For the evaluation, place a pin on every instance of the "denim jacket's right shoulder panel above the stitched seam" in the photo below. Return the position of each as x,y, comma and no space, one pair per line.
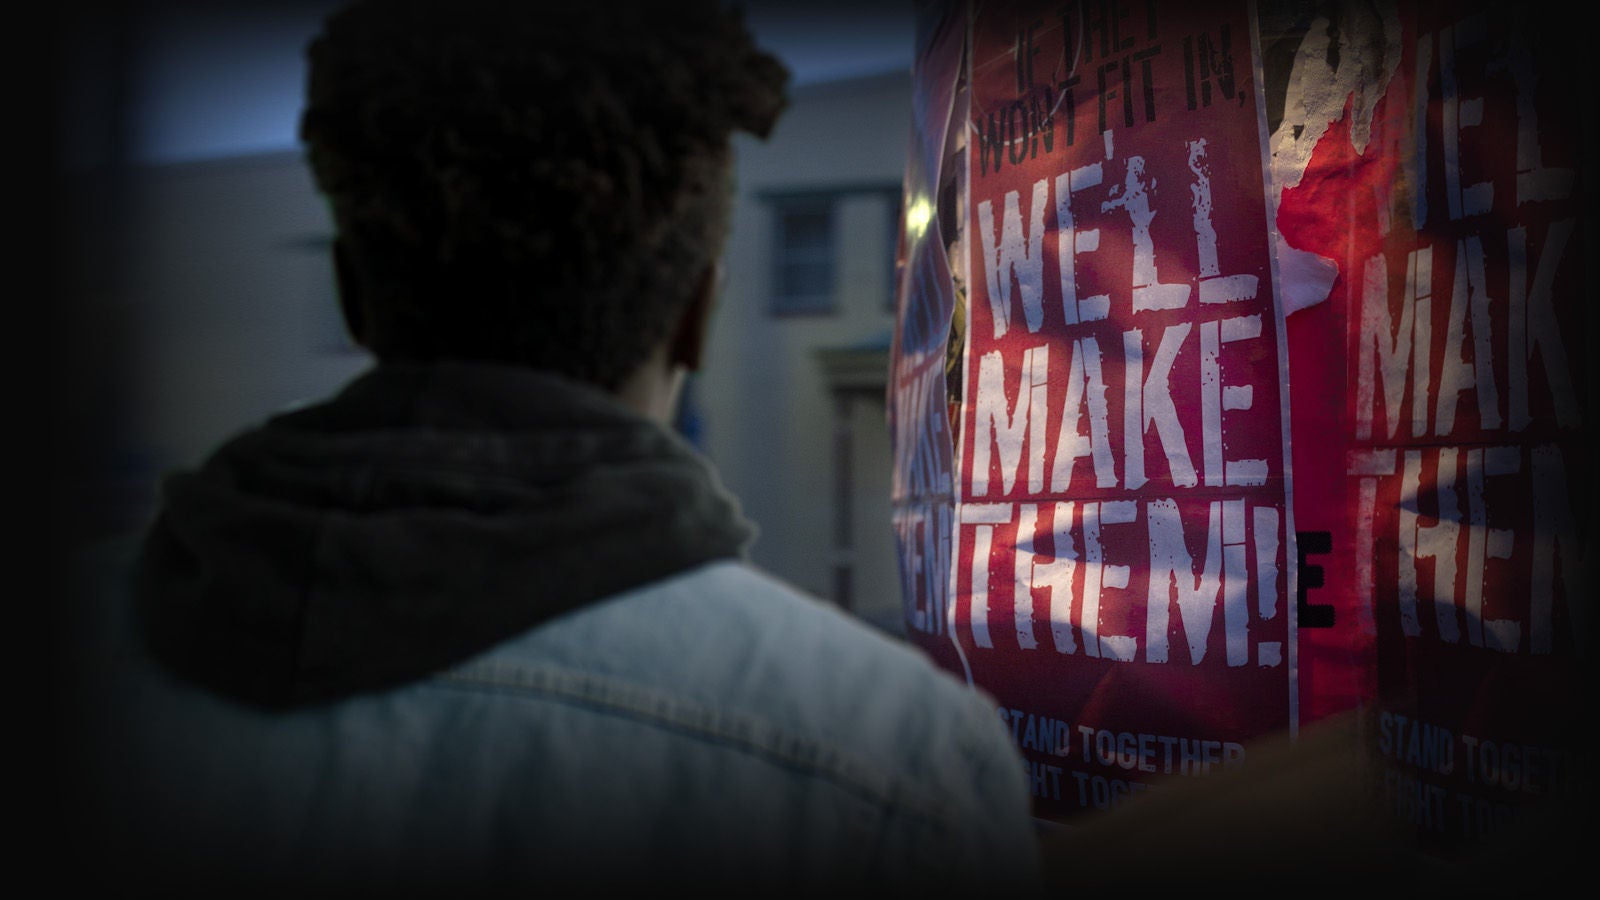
735,638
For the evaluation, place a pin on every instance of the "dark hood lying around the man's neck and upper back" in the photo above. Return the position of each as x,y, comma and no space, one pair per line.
418,518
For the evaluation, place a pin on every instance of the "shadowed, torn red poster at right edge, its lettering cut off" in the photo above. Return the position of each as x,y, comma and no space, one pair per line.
1442,393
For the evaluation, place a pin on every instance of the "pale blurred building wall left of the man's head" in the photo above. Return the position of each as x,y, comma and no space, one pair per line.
236,305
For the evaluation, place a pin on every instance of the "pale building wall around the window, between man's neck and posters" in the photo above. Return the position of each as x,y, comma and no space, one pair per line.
769,416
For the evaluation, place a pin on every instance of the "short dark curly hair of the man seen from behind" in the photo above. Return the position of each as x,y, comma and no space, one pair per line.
529,183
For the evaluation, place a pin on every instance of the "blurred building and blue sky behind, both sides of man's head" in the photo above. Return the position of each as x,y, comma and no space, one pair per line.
193,254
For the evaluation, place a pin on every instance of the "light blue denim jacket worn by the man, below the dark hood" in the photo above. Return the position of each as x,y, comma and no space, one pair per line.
713,728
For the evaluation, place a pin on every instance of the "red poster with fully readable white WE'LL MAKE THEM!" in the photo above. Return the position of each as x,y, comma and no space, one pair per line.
1119,529
